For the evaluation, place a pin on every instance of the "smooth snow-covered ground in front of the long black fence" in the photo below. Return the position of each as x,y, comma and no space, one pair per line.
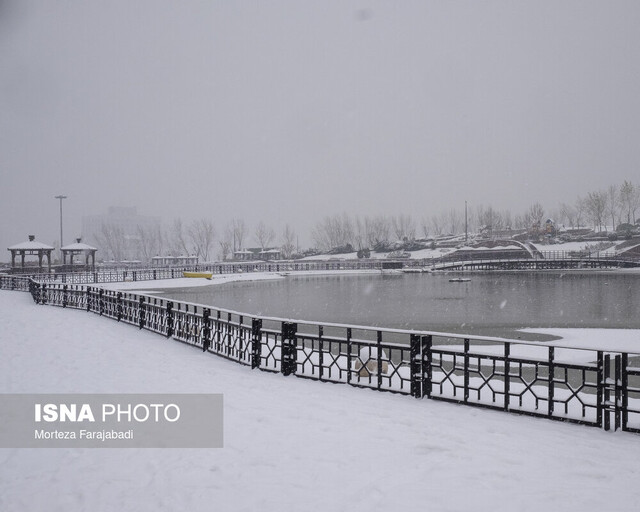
290,444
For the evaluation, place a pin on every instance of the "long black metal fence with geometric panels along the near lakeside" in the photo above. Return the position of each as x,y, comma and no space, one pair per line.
590,387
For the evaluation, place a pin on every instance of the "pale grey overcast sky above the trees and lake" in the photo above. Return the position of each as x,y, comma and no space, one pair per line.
285,111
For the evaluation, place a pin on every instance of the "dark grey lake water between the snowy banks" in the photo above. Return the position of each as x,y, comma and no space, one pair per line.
490,304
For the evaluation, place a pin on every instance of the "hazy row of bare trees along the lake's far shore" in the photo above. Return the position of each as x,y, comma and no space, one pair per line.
598,209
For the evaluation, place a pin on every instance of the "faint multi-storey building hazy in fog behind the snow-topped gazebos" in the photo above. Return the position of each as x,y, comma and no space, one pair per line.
118,233
